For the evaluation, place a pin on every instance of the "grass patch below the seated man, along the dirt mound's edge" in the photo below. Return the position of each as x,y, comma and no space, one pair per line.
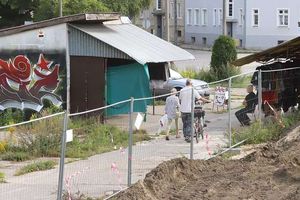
269,131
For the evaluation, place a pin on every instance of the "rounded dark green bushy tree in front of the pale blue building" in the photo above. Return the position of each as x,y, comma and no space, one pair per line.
223,53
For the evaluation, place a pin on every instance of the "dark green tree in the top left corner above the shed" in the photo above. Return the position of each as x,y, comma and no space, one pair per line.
16,12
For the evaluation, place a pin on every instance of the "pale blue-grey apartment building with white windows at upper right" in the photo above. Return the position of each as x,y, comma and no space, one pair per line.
254,24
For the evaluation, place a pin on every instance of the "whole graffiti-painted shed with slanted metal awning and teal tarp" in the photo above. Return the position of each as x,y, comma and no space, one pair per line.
83,61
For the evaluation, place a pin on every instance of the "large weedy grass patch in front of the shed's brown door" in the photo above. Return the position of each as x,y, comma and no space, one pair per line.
91,137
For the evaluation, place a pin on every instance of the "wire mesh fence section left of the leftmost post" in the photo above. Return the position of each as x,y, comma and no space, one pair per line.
26,148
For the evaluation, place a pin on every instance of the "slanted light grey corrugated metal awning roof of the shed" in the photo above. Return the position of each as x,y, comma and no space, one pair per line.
136,43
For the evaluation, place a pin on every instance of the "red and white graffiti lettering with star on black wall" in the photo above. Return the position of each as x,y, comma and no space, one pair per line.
23,85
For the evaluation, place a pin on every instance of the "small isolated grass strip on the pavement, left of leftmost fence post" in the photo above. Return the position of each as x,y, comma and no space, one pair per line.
37,166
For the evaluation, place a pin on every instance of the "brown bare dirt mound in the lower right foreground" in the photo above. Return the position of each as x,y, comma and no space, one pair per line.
271,172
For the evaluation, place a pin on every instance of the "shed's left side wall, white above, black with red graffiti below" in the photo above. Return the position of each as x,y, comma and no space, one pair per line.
33,69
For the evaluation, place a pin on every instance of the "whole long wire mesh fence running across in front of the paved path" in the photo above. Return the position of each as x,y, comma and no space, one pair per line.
114,146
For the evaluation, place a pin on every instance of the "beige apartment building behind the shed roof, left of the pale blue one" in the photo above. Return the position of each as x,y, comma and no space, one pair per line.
154,20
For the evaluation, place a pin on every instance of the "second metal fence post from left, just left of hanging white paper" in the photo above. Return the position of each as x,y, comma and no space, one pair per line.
130,141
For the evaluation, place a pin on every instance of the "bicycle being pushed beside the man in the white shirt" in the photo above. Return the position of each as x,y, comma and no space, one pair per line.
198,122
